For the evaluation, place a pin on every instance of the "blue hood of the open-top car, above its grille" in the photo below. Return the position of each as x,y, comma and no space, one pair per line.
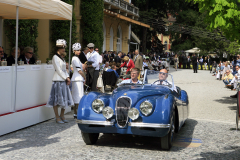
136,92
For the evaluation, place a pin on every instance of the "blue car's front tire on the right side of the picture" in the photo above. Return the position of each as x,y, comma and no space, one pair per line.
166,141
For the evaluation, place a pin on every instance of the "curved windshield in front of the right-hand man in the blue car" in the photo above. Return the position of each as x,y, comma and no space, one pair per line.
158,78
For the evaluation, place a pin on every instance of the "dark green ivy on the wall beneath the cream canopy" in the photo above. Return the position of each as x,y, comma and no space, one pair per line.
27,33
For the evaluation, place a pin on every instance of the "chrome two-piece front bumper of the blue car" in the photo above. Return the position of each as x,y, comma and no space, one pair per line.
131,124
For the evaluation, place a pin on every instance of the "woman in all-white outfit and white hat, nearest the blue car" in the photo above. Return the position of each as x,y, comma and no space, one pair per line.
78,78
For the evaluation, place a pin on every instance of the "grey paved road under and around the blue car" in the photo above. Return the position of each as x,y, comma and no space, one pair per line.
207,134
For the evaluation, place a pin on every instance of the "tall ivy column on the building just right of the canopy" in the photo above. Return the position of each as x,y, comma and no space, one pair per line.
92,19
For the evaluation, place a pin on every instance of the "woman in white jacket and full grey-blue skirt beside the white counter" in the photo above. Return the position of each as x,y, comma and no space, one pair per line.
60,95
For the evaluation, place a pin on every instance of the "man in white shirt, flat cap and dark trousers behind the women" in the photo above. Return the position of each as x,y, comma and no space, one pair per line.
93,69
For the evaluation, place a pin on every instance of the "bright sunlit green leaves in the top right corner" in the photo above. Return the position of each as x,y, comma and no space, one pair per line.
222,14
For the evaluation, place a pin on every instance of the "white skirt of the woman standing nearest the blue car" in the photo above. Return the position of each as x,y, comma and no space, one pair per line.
77,91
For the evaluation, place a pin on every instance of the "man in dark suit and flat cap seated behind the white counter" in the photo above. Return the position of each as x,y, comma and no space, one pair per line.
27,56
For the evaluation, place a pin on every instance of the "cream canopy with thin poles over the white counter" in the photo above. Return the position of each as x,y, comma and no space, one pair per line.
34,9
